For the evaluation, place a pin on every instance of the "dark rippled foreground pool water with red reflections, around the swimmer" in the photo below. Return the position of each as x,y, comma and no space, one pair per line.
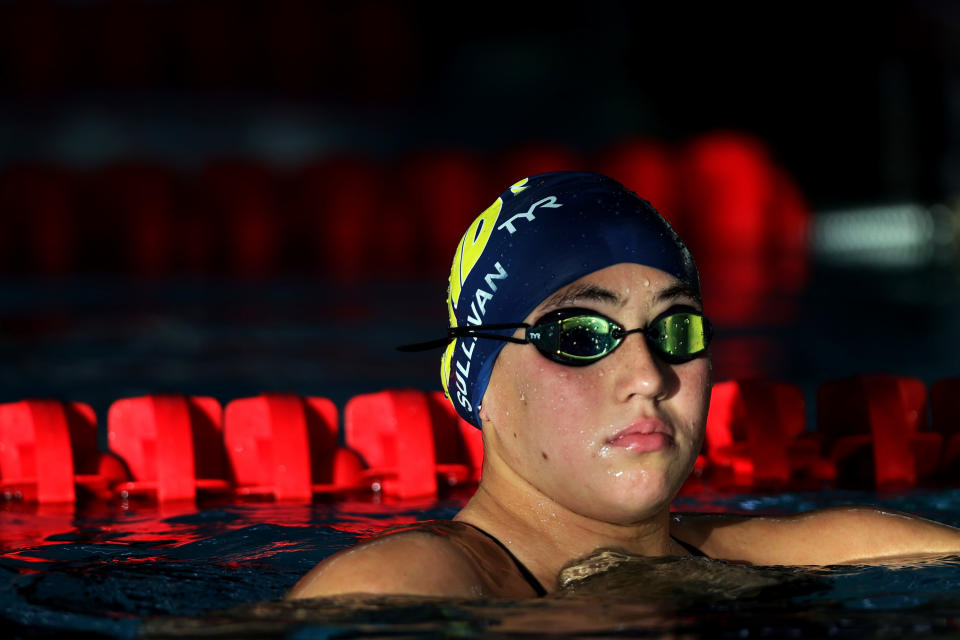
138,571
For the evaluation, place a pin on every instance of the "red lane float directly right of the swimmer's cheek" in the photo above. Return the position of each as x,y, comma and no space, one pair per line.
756,437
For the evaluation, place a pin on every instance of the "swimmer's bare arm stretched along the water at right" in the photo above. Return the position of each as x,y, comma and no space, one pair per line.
835,535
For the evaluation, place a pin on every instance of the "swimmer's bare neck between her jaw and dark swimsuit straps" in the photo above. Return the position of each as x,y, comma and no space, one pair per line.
544,535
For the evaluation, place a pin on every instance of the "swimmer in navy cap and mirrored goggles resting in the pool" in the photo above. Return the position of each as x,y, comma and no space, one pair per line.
579,346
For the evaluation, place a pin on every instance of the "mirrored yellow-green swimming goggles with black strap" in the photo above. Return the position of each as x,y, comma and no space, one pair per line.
578,337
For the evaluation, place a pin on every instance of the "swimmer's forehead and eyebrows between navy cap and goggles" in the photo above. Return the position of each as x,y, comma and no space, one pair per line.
619,284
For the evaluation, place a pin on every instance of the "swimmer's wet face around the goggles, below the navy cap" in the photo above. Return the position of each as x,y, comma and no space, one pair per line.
613,440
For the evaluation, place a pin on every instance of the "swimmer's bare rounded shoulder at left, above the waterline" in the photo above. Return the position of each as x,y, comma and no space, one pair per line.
416,561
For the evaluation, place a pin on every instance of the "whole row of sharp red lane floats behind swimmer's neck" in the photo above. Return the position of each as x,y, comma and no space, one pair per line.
872,433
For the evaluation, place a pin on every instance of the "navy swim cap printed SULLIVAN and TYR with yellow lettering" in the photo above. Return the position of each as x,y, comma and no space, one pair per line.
543,233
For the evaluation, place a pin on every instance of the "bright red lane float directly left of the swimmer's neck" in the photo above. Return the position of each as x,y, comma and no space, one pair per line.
408,438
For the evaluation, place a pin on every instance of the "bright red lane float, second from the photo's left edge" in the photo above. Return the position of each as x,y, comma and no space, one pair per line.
172,445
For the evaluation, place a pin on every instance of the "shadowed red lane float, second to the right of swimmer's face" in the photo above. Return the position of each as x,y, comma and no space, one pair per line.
872,429
